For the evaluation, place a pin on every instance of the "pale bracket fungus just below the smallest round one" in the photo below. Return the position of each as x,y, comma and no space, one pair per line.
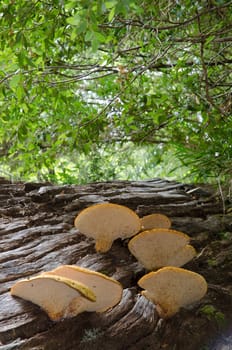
161,247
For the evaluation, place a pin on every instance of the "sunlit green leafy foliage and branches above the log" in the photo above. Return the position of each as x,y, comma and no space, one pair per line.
94,90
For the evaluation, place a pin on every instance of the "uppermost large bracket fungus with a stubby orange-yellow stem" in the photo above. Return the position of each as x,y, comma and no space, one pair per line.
106,222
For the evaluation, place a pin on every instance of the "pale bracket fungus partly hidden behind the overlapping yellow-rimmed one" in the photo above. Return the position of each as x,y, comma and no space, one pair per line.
108,291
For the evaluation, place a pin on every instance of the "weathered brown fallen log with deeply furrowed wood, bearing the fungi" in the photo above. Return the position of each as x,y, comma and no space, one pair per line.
37,234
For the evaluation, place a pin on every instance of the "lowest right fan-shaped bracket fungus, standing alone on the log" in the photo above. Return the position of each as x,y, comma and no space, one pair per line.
171,288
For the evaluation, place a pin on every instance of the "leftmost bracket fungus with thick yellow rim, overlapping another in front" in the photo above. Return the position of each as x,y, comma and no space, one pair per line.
60,297
